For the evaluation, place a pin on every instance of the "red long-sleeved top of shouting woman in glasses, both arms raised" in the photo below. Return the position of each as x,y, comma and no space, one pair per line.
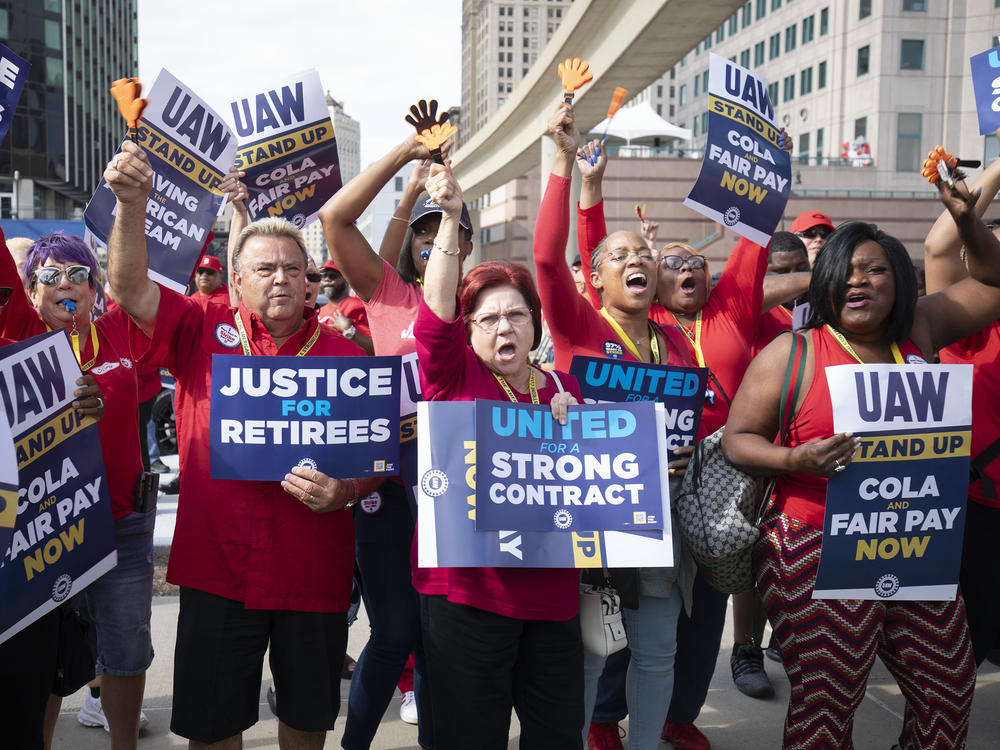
576,327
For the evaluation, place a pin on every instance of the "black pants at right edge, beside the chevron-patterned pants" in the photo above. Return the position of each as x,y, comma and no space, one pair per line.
978,579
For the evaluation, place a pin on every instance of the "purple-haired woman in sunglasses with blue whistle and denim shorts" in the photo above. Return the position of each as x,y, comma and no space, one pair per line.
60,271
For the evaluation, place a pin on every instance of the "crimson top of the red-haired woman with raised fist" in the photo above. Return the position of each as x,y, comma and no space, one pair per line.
451,371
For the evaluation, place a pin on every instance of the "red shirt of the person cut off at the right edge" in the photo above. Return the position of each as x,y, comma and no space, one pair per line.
982,351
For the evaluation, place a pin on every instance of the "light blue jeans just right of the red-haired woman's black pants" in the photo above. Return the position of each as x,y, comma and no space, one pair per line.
652,640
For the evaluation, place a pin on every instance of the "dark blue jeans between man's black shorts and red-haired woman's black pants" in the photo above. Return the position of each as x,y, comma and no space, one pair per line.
383,551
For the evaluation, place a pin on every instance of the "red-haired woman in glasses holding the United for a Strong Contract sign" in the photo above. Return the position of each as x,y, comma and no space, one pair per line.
495,638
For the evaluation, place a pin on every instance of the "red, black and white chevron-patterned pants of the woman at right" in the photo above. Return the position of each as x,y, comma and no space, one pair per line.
829,646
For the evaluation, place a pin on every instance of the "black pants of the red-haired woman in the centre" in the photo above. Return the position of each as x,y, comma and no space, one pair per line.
482,664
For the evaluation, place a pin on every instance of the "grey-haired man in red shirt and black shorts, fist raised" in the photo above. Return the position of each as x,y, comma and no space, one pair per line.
260,564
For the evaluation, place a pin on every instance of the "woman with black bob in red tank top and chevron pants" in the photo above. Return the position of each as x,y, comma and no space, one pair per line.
864,308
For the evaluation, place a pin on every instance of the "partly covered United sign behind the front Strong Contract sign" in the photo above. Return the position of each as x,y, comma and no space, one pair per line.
681,390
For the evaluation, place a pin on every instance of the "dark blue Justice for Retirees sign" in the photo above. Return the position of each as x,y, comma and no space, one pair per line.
336,414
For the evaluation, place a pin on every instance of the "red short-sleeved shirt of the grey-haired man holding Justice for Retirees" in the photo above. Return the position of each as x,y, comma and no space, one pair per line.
244,540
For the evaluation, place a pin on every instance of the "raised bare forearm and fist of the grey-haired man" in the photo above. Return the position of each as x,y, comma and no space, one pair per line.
130,177
